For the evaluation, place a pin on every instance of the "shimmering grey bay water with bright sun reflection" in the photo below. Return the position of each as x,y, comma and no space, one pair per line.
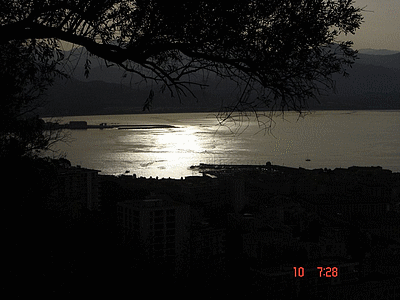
321,139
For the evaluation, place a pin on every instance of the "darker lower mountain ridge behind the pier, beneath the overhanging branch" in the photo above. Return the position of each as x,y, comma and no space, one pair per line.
75,97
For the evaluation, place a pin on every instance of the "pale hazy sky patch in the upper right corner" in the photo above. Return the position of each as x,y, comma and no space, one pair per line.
381,27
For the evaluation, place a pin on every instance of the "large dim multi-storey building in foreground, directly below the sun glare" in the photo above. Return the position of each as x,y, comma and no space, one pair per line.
158,230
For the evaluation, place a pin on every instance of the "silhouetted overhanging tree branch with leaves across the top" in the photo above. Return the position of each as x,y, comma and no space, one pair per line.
280,52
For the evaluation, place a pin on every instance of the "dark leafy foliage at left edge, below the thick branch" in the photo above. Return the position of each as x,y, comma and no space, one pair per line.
27,69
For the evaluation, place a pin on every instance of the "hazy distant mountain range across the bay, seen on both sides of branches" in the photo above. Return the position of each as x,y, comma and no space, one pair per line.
374,83
